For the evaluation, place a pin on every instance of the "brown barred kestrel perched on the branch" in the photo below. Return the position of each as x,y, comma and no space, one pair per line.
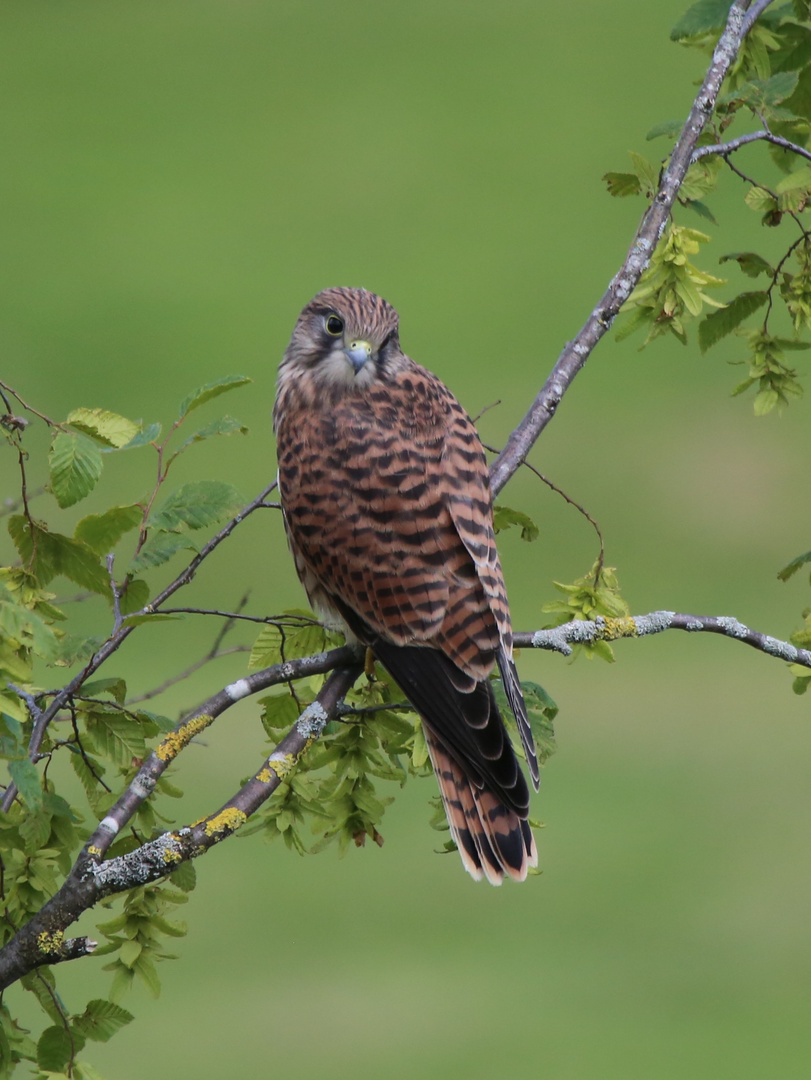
388,512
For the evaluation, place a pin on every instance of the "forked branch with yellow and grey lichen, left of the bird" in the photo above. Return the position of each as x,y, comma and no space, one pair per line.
43,940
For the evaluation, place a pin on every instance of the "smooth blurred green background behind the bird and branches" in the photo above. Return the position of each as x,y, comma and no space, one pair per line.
180,179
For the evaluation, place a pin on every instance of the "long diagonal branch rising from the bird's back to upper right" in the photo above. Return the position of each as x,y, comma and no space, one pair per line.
577,352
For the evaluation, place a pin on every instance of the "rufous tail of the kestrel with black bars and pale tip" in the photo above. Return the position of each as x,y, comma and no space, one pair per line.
492,839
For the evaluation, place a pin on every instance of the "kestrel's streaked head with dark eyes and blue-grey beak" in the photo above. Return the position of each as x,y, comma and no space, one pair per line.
345,340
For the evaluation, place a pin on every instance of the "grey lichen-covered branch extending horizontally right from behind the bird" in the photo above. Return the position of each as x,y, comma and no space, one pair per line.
583,632
